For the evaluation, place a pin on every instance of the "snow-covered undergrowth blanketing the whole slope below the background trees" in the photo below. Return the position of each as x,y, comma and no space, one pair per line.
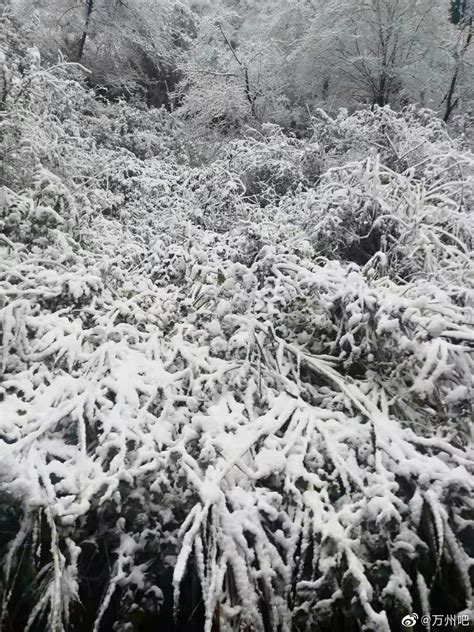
239,391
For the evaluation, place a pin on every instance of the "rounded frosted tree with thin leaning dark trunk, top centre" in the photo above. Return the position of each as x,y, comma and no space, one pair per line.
229,79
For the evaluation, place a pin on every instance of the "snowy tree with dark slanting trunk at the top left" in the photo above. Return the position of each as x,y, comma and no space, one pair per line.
126,45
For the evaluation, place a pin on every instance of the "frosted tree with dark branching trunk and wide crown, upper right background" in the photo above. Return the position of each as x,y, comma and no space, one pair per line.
379,51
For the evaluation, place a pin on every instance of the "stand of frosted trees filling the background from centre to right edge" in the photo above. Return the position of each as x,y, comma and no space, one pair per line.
274,60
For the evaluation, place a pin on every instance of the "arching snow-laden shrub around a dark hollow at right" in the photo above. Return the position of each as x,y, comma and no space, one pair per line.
364,210
